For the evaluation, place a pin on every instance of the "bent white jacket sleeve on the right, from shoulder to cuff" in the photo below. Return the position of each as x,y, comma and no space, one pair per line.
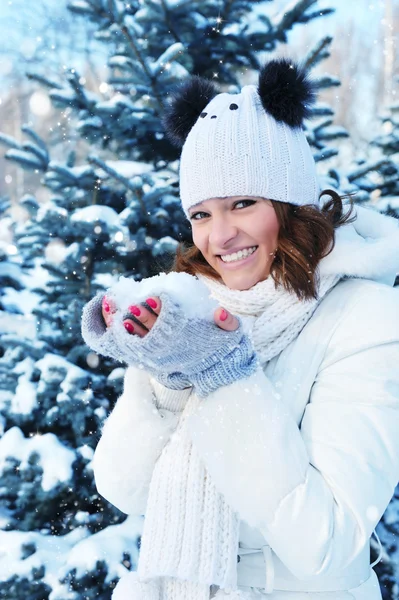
315,493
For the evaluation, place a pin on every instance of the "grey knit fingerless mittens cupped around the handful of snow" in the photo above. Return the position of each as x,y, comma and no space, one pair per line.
178,351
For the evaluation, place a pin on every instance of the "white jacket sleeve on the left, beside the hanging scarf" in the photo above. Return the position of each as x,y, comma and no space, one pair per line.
133,437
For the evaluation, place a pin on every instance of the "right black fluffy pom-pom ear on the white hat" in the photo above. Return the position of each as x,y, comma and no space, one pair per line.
285,91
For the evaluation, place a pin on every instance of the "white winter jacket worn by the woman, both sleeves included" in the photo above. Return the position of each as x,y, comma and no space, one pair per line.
310,469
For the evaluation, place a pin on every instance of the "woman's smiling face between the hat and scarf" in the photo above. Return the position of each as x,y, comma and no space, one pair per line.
237,237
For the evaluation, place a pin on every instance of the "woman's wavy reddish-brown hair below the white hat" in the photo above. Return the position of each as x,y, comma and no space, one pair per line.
306,236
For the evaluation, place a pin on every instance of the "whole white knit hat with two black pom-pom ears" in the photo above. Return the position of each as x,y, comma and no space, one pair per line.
251,143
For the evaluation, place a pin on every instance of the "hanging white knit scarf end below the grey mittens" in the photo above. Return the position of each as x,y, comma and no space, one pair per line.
191,533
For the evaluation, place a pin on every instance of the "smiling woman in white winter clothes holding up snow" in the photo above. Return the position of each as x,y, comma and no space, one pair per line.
262,448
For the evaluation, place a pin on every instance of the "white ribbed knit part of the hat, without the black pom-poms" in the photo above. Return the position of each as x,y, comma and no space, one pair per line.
236,148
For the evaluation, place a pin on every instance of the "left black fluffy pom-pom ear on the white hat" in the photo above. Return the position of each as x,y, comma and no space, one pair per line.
186,105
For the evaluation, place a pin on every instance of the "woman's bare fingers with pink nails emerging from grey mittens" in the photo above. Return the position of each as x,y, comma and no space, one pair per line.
146,313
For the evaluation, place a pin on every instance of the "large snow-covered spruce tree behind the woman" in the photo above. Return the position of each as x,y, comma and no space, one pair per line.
116,212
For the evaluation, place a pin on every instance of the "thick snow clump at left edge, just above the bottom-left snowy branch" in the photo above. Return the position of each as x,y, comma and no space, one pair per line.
55,460
